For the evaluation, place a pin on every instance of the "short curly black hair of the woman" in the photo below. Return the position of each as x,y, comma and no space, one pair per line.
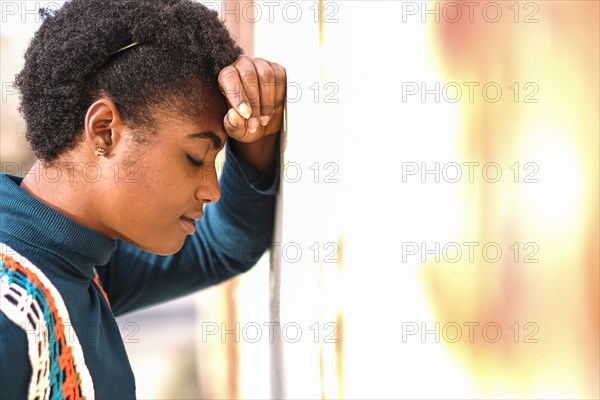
74,59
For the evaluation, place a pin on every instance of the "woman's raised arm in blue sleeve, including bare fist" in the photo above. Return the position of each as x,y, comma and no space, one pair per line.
235,231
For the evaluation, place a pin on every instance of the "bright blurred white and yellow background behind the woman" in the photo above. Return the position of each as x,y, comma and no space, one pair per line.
437,224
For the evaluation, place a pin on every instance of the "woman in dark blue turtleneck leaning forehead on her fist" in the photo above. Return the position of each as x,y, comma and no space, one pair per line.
127,104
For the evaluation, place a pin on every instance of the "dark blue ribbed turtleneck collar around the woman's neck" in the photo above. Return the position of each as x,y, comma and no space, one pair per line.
33,222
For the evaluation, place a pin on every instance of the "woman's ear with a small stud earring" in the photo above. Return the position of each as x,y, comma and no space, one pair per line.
103,125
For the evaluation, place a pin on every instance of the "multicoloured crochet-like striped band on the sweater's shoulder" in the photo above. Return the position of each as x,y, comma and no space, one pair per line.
31,302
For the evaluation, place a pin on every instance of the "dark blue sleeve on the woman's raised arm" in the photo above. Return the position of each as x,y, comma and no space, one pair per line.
231,237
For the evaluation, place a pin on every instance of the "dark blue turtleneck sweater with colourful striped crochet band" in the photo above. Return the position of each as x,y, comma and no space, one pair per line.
63,284
